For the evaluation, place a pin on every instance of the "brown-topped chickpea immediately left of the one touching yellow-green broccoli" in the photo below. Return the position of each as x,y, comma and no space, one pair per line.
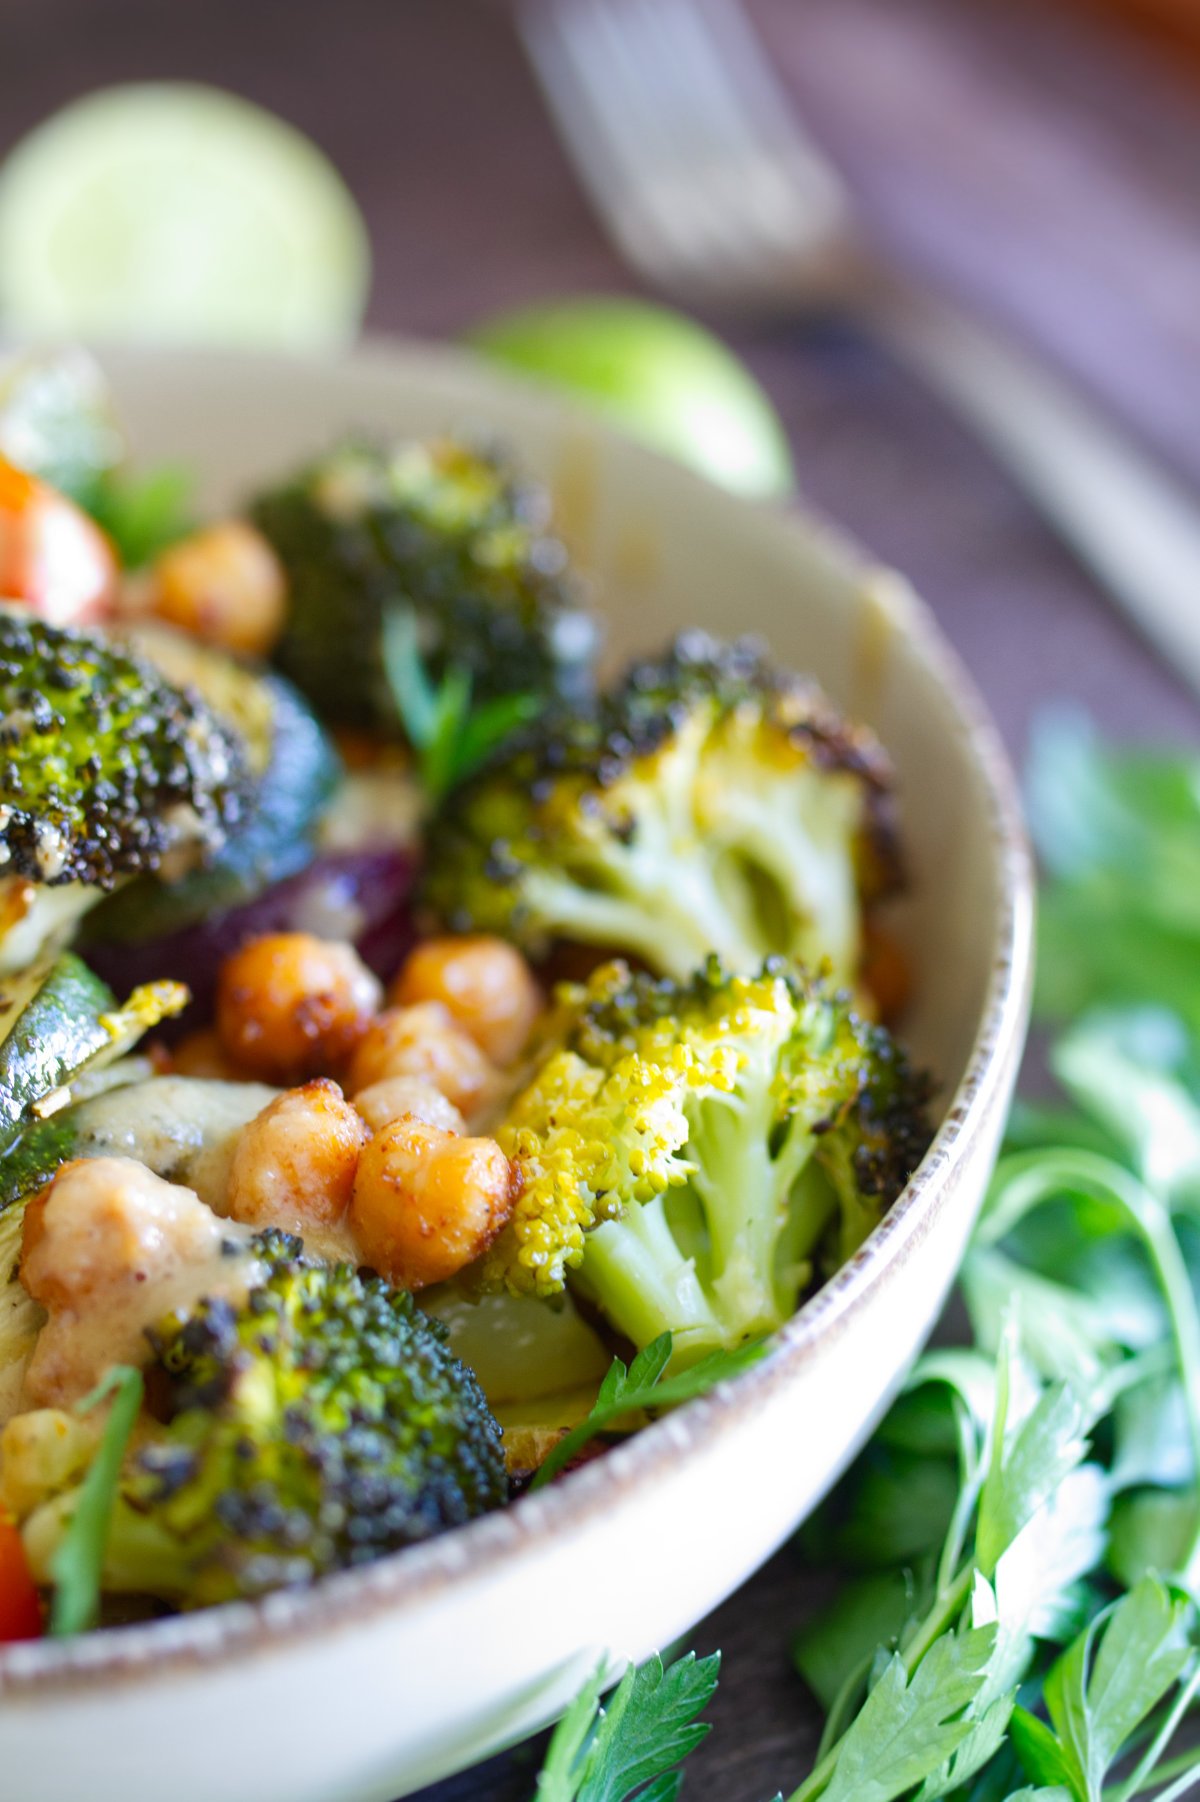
295,1165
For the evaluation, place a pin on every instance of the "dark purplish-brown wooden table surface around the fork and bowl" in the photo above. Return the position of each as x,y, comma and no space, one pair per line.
1030,159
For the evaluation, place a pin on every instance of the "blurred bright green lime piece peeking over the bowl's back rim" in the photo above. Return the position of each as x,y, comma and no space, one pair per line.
660,378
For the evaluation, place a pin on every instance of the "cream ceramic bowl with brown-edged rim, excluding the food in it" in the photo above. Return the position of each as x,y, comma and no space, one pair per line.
383,1680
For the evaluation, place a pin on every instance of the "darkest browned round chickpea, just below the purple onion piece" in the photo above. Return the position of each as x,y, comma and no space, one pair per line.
293,1006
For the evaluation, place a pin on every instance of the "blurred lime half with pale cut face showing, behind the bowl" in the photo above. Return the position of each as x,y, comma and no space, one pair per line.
177,214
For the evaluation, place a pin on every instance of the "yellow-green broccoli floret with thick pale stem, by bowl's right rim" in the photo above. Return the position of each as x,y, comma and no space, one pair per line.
693,1151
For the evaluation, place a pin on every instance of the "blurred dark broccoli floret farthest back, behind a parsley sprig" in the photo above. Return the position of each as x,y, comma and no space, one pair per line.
448,531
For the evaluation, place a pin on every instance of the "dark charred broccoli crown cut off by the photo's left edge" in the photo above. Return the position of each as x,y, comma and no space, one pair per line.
107,767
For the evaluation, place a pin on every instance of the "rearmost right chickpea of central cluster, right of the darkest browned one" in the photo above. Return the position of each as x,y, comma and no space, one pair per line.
486,985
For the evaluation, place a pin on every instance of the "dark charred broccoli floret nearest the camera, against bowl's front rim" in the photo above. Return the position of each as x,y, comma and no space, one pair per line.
318,1426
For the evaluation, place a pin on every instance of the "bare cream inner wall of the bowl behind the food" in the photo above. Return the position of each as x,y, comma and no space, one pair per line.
668,552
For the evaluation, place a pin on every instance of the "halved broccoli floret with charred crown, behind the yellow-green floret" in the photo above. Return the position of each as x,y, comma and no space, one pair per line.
711,803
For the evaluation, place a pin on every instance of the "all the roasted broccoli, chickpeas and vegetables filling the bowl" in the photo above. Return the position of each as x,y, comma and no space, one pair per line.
397,1024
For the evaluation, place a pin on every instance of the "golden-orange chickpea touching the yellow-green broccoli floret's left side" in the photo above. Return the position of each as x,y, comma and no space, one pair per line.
428,1203
